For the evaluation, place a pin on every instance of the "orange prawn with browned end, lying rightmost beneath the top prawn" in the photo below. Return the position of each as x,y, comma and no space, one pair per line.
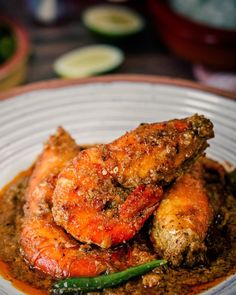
183,221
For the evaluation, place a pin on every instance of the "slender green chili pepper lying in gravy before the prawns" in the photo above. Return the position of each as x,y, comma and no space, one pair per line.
86,284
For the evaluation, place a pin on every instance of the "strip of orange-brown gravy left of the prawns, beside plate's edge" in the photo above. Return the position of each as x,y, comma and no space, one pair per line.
12,266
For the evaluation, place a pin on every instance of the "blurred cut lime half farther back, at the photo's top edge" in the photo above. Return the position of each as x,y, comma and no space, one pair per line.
112,20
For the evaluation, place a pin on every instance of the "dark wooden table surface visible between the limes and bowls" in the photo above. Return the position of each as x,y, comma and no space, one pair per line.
145,54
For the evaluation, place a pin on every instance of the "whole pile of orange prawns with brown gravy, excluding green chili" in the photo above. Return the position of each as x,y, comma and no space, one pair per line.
150,194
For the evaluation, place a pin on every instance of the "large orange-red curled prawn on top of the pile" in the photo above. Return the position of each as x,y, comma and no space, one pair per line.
107,192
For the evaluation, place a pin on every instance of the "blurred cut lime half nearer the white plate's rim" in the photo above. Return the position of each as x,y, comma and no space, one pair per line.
88,61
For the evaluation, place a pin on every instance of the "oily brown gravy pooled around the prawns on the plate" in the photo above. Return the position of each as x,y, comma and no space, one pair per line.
165,280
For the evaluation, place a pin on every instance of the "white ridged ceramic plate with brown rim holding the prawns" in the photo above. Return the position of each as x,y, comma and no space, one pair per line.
100,109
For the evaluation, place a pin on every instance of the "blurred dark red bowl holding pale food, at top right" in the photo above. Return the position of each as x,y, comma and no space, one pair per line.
194,41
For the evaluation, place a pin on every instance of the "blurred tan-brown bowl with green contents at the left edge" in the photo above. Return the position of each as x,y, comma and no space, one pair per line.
13,71
